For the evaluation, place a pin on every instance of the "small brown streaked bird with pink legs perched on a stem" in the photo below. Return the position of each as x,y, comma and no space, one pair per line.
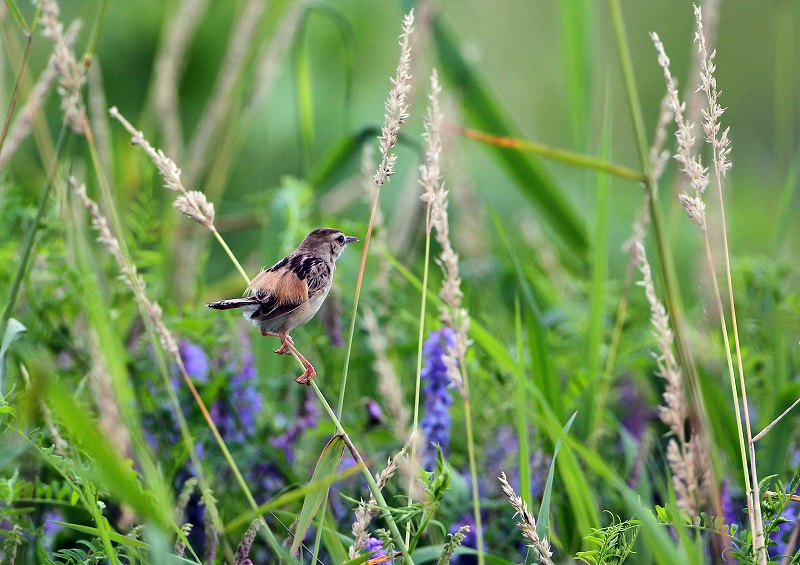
289,293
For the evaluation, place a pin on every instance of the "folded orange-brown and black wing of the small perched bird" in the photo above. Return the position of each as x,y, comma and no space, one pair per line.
279,290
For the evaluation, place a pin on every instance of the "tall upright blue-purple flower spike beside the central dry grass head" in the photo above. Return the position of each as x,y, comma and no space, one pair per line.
436,422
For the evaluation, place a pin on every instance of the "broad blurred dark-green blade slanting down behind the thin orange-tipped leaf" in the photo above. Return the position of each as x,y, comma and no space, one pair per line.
529,175
